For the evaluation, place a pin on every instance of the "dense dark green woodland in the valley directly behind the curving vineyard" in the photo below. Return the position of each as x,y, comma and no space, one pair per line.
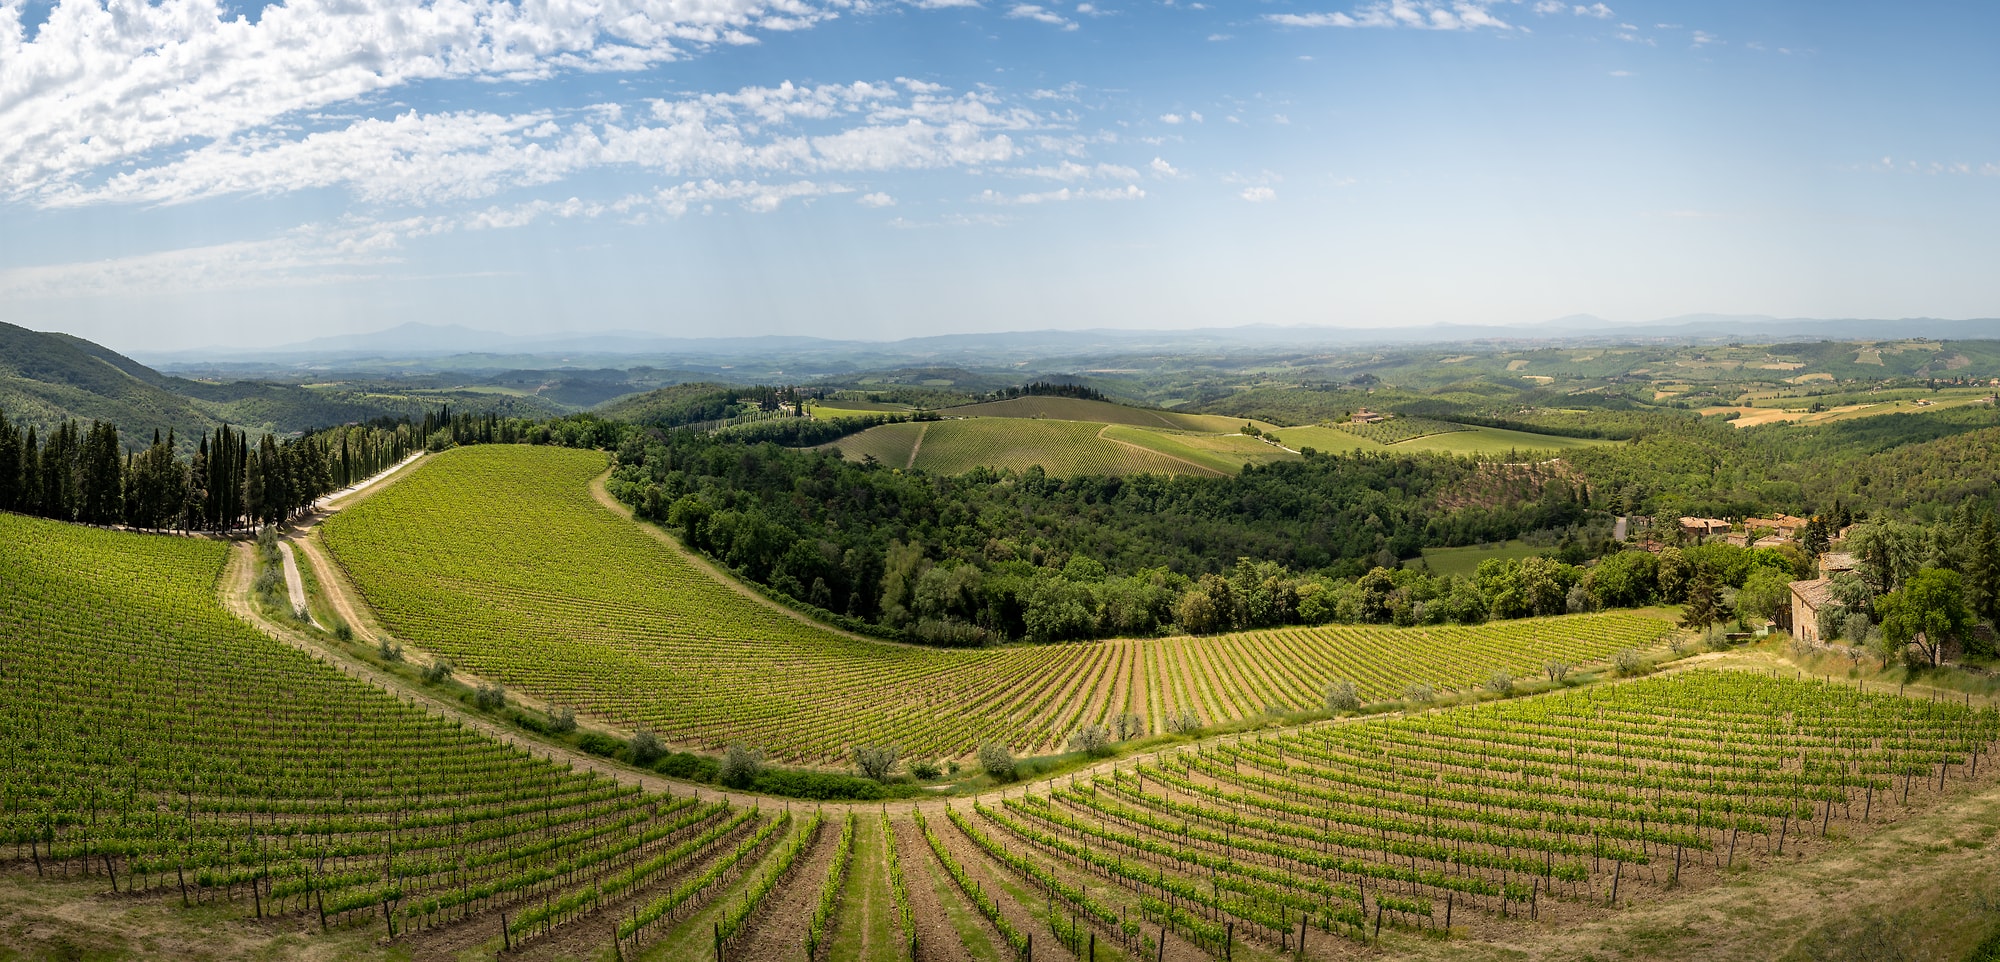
997,555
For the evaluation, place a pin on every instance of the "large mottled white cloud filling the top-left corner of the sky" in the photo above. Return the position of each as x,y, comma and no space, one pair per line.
109,83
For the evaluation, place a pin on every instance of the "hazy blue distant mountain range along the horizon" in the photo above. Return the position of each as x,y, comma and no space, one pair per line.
433,341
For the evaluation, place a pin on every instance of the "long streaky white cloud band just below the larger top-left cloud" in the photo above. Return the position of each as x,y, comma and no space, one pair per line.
435,159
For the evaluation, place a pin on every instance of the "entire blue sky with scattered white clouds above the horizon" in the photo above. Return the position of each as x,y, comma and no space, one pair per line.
193,173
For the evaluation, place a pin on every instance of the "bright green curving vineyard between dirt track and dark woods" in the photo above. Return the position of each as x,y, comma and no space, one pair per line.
499,559
